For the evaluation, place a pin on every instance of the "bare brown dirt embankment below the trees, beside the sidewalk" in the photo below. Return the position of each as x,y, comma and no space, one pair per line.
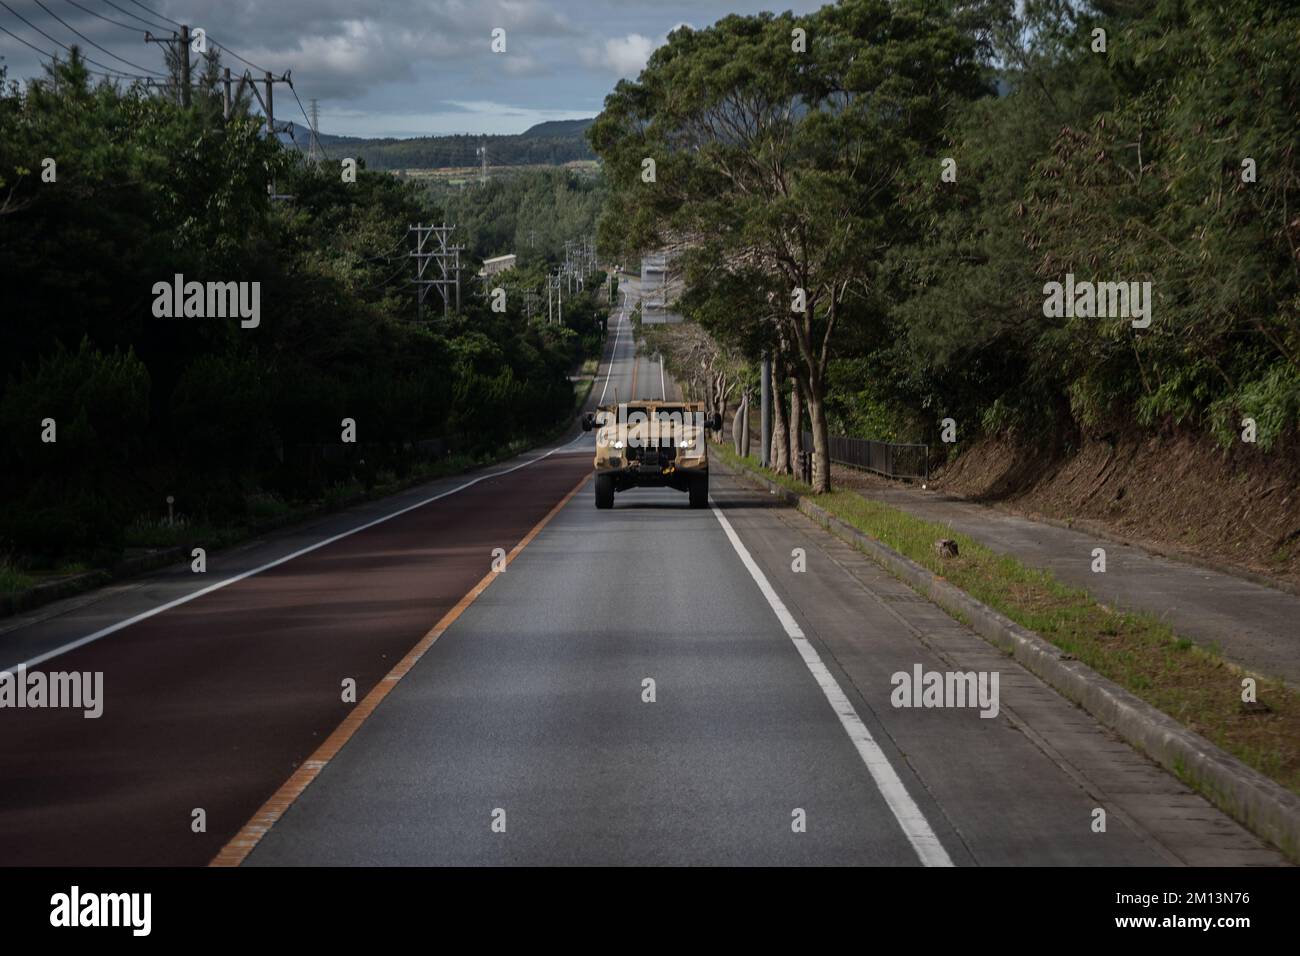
1240,508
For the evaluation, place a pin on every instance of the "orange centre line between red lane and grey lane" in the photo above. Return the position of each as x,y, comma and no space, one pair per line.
239,849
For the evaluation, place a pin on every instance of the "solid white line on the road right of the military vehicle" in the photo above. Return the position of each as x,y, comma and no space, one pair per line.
905,811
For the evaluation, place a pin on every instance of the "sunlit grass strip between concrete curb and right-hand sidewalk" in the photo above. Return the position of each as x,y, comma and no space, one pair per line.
1194,685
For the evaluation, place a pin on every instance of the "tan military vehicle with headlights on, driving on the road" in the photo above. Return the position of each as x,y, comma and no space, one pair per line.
652,445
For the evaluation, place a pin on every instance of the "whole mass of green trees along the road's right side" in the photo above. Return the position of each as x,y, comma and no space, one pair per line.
881,194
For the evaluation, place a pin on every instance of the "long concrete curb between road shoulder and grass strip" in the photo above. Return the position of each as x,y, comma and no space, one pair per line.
1264,807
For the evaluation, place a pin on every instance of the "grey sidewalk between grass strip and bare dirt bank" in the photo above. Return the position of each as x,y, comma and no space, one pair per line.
1254,626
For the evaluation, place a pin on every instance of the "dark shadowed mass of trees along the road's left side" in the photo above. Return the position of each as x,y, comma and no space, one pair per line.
109,409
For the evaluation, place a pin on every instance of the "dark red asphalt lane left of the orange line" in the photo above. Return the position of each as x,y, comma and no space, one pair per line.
215,703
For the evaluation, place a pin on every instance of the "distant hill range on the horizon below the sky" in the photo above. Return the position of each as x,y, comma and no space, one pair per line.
548,144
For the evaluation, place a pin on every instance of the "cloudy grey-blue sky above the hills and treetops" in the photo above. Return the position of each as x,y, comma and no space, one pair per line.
395,68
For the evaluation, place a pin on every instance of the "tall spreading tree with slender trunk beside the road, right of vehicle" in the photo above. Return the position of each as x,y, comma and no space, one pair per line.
786,162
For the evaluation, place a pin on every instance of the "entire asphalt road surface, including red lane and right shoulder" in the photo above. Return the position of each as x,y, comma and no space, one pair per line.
649,685
